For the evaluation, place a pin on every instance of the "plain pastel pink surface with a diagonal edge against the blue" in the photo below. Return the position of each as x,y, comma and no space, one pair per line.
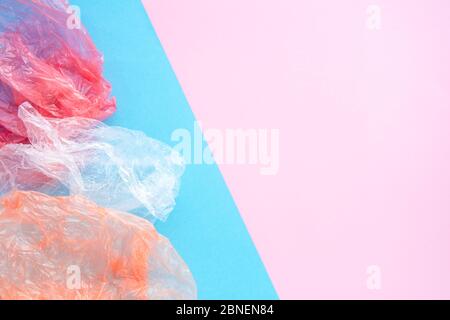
365,137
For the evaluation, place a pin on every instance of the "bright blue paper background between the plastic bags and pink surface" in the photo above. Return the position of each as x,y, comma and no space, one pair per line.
205,227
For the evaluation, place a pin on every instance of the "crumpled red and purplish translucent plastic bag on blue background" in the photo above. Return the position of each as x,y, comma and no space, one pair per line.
56,68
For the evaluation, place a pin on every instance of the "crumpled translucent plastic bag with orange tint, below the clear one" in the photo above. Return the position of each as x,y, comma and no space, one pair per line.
70,248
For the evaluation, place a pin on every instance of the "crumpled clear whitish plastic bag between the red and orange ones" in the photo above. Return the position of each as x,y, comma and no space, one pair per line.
114,167
